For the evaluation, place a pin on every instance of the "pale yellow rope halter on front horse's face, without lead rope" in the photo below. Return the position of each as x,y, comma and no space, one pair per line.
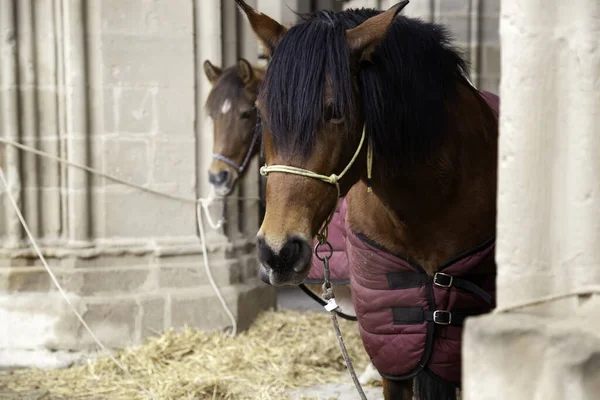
333,179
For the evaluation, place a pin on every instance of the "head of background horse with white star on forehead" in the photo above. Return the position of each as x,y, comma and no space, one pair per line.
231,106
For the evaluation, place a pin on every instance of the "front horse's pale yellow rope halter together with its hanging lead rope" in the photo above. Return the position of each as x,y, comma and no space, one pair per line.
328,293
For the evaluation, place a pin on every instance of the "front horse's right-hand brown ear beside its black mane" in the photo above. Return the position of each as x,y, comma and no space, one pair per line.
365,38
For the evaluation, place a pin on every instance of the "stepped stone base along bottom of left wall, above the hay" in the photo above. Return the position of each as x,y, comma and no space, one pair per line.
123,299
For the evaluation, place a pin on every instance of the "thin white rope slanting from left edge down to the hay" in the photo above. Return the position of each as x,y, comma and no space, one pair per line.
60,289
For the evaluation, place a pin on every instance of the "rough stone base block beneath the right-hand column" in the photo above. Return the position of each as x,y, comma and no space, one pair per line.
521,356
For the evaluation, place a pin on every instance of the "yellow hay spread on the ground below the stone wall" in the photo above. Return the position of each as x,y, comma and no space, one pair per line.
281,351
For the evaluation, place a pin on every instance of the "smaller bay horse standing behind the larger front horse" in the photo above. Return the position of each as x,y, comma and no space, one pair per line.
236,142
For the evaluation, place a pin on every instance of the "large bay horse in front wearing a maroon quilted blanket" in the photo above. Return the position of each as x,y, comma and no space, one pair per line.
385,99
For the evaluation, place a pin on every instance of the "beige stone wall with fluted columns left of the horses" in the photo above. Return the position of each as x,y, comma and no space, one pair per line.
117,86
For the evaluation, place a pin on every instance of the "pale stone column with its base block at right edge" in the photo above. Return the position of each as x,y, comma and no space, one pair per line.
548,211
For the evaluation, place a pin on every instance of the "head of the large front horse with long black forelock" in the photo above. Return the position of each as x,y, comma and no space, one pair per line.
312,119
